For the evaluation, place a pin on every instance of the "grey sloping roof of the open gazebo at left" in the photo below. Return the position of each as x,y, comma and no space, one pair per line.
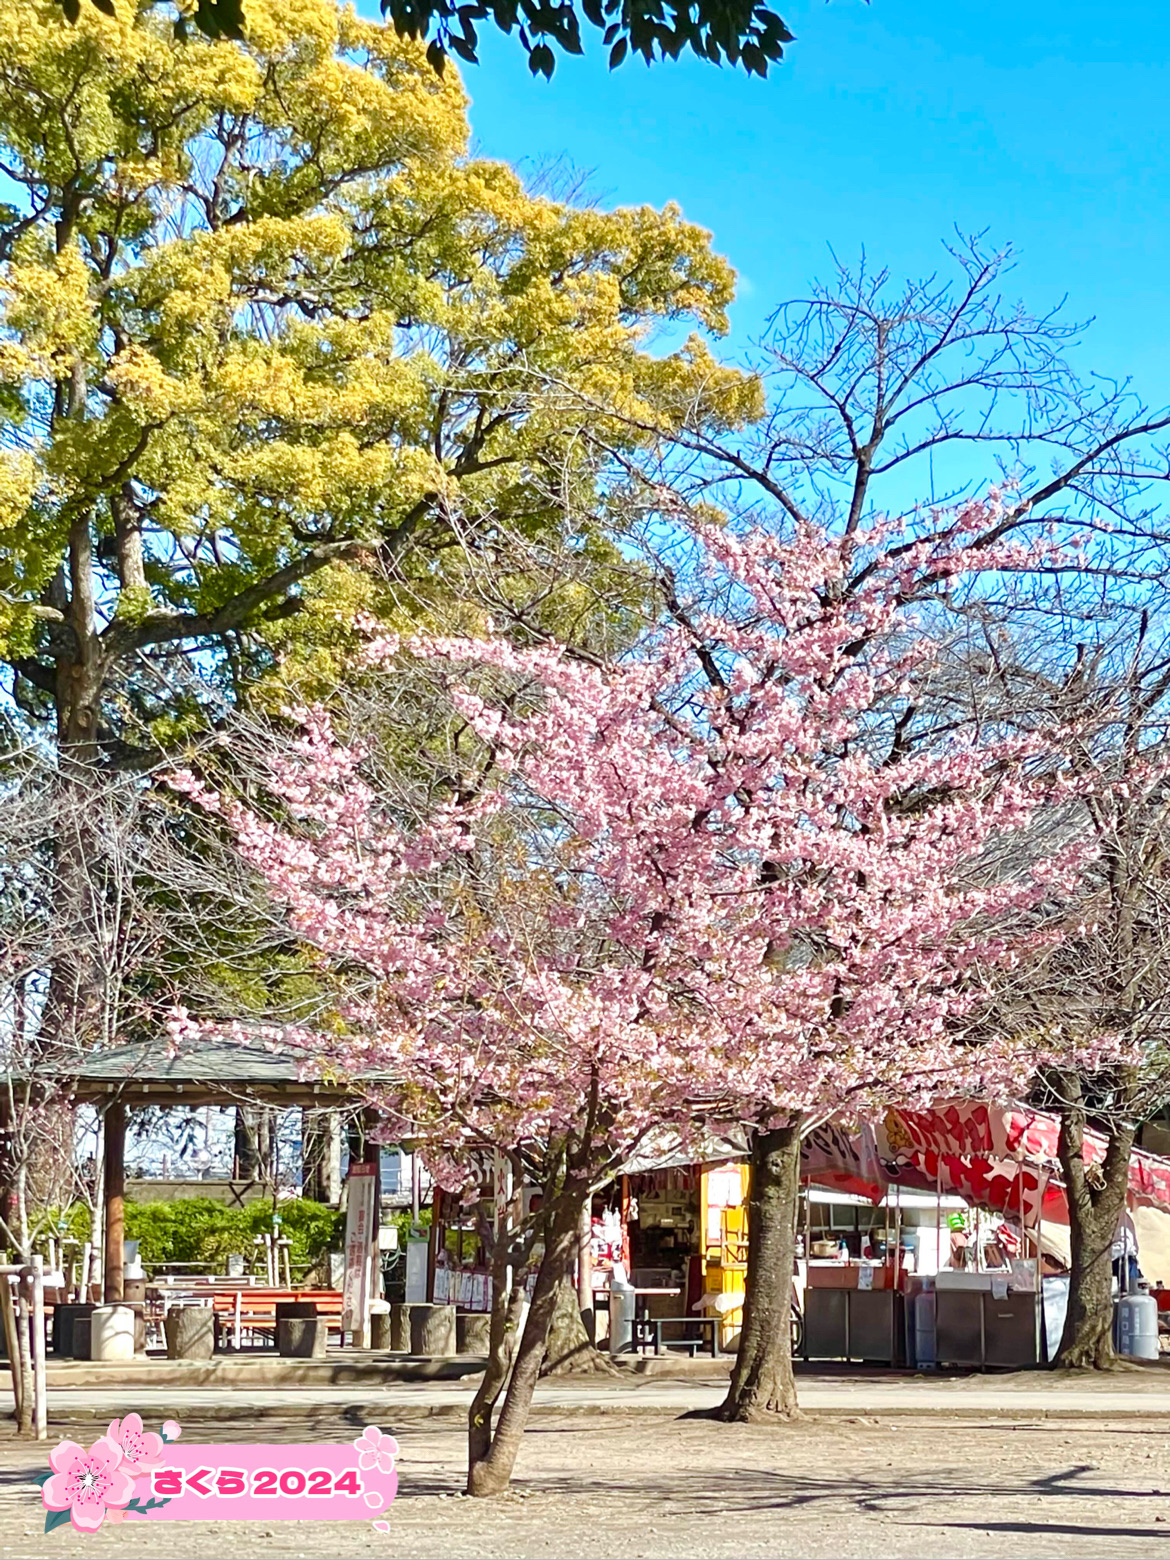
208,1072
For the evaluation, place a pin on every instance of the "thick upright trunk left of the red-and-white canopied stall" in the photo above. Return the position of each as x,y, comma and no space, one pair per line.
764,1388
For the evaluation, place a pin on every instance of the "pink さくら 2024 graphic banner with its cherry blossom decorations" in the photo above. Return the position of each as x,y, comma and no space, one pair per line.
136,1475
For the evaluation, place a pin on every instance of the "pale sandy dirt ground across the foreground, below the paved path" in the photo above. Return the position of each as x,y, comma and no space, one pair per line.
659,1487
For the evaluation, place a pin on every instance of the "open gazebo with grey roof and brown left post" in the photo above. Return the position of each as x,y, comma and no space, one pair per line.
211,1072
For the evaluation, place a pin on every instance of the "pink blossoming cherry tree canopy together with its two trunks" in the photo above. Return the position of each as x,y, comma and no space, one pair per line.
742,876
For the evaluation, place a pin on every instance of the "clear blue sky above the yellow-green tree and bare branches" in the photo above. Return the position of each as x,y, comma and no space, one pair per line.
888,126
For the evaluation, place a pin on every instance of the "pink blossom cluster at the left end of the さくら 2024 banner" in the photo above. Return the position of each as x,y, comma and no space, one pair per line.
97,1486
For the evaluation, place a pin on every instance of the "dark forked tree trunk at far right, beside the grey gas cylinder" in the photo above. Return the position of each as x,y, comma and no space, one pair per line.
1096,1207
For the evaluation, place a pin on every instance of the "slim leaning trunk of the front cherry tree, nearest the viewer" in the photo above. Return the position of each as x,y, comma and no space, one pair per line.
491,1467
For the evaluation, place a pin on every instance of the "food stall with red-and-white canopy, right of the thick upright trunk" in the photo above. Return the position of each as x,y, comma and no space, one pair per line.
988,1286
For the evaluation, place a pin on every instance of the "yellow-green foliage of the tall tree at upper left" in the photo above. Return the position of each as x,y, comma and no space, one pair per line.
260,294
